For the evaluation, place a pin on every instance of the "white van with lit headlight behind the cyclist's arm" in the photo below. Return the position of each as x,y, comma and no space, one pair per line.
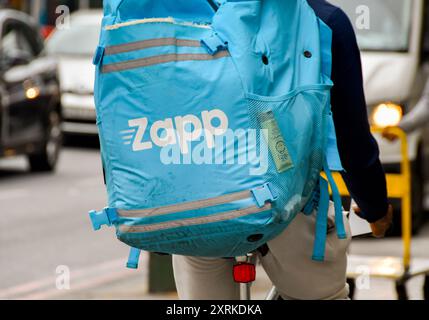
395,58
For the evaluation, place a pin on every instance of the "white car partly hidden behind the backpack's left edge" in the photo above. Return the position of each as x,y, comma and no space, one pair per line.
74,47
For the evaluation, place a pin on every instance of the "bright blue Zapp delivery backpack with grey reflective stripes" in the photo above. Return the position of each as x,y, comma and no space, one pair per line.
215,124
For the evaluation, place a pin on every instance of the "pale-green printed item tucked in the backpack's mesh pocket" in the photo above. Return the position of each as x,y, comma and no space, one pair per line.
275,141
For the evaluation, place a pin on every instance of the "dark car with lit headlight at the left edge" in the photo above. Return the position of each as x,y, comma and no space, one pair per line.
30,105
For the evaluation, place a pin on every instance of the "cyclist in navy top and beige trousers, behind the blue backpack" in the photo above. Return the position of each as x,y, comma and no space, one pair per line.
287,258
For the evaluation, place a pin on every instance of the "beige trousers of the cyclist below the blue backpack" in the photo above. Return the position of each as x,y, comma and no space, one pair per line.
288,264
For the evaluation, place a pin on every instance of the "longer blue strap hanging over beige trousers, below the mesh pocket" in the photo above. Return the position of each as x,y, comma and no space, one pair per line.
321,222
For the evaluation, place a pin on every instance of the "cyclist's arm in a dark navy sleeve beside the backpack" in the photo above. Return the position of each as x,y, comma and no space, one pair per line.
359,153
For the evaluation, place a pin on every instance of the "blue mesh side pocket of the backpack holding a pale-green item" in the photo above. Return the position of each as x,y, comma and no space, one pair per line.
293,131
